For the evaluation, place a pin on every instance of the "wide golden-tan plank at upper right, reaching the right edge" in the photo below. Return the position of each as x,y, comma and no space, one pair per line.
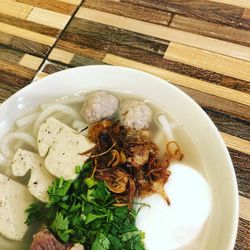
208,60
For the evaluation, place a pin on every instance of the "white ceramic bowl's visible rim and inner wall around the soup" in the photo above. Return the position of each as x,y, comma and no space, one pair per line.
220,173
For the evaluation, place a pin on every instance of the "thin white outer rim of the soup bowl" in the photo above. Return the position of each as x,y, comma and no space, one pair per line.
34,84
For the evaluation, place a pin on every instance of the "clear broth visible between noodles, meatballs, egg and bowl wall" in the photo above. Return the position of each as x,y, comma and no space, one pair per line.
192,157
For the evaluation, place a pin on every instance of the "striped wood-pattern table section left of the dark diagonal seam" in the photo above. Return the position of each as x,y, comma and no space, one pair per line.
28,31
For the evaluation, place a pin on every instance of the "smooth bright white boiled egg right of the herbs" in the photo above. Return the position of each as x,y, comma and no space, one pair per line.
180,224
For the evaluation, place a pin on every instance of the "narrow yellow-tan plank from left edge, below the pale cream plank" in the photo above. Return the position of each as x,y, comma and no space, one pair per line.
26,34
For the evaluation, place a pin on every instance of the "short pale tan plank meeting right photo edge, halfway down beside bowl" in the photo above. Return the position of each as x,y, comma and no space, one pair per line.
236,143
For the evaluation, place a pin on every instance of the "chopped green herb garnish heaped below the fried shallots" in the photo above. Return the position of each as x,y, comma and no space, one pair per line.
82,211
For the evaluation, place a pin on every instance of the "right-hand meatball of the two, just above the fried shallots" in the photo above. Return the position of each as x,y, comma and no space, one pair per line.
135,114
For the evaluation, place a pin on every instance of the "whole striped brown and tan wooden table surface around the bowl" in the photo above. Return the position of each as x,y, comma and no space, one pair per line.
203,47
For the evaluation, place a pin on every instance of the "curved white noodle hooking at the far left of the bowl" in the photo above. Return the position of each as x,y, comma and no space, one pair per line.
9,138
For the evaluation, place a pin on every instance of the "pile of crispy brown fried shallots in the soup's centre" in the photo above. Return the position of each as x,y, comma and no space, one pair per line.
128,161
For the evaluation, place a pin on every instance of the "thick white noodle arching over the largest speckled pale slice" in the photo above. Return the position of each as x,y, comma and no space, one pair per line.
54,109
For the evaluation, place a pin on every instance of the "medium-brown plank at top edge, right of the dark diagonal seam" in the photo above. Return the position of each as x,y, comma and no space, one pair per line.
130,10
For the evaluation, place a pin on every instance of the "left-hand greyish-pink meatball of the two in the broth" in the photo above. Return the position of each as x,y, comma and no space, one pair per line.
99,105
